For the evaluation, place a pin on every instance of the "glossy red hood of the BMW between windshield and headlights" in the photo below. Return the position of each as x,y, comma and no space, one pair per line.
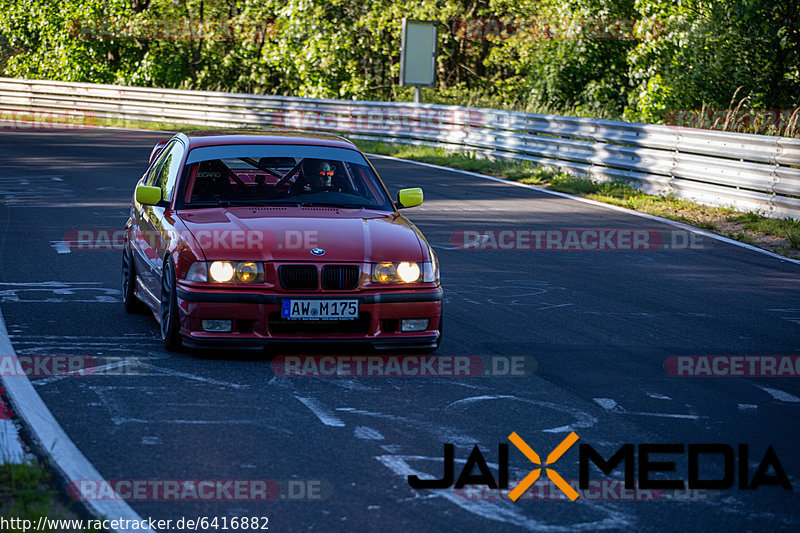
290,233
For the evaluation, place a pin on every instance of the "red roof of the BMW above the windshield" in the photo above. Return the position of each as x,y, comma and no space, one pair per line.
222,137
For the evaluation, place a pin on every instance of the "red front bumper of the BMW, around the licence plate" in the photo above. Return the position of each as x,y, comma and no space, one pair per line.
256,320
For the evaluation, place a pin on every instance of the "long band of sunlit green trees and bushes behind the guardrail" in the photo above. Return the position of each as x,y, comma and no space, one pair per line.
633,59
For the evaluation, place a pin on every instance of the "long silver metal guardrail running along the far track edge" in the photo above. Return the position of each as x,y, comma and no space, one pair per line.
749,172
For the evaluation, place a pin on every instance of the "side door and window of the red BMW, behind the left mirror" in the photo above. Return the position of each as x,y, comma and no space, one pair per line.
155,221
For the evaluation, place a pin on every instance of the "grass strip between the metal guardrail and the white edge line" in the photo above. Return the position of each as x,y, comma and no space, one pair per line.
781,236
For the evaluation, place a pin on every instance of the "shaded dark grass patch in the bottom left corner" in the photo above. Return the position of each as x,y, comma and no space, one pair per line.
27,493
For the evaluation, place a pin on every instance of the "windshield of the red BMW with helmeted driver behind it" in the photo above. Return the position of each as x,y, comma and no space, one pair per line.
281,175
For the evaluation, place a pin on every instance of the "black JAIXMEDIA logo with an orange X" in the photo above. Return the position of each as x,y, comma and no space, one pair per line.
720,464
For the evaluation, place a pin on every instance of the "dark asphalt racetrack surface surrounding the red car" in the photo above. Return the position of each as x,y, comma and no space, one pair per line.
597,325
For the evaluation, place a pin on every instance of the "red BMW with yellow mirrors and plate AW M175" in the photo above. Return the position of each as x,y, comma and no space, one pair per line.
242,239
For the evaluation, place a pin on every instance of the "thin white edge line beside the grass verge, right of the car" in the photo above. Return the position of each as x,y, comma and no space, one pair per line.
673,223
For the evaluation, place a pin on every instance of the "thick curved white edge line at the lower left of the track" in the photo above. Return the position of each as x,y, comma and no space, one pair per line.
52,442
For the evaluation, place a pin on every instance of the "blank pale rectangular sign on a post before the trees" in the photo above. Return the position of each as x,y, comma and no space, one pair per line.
418,54
